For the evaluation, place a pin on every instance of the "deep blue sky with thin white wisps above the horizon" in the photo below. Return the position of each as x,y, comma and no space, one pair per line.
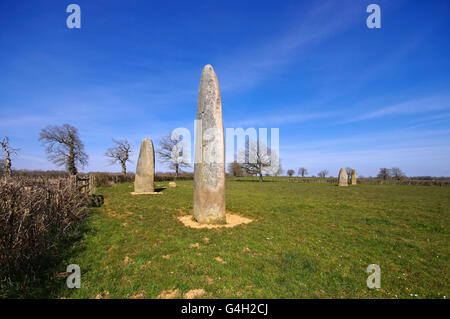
340,93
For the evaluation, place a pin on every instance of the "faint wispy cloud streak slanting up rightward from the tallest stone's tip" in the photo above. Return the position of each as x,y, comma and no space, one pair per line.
247,67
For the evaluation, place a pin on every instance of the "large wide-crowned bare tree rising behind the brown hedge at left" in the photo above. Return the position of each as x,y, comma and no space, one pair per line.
64,146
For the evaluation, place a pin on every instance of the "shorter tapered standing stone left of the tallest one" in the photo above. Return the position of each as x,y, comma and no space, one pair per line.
145,169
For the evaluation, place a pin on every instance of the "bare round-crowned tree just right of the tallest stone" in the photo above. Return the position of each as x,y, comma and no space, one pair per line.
258,160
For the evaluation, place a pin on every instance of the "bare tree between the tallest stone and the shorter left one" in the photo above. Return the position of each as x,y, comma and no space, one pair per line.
170,153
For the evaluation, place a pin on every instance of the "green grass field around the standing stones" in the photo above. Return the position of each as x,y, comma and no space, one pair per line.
307,240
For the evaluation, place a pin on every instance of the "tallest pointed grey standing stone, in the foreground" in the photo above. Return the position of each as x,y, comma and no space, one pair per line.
209,166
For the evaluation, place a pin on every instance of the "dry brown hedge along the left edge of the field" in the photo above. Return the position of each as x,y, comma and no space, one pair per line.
35,214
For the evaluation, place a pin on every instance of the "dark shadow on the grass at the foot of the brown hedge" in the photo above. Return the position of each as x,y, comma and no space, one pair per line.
48,274
